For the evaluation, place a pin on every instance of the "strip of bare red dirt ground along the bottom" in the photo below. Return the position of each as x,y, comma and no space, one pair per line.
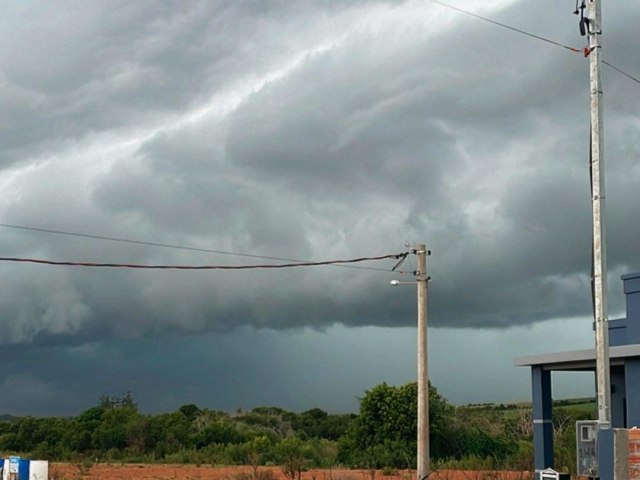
103,471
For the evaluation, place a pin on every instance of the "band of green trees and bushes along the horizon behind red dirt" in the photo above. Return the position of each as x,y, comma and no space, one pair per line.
383,434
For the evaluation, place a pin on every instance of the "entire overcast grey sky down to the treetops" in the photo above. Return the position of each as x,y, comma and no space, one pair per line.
310,130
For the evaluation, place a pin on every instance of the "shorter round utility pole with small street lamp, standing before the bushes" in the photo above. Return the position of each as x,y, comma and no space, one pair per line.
423,376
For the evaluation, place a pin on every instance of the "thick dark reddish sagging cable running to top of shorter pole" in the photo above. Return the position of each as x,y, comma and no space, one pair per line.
201,267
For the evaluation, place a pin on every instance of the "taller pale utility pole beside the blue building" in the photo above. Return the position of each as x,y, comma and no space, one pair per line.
603,380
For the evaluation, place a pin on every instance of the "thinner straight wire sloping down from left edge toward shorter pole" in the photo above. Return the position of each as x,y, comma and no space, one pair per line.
172,246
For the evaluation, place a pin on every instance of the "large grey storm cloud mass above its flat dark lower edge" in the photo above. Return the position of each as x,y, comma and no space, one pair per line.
297,130
